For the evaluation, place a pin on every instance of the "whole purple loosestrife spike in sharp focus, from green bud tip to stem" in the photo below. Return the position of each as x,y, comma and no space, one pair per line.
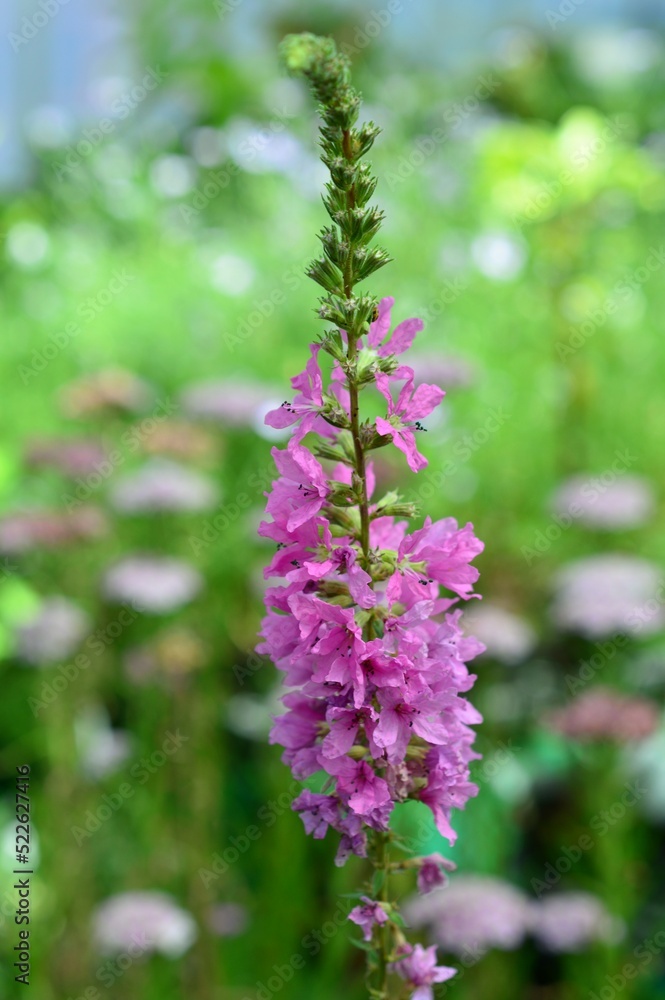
362,620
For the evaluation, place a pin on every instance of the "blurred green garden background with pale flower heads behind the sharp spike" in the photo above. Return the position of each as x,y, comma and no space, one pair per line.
159,201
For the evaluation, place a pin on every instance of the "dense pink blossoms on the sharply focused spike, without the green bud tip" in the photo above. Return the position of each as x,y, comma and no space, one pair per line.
372,651
